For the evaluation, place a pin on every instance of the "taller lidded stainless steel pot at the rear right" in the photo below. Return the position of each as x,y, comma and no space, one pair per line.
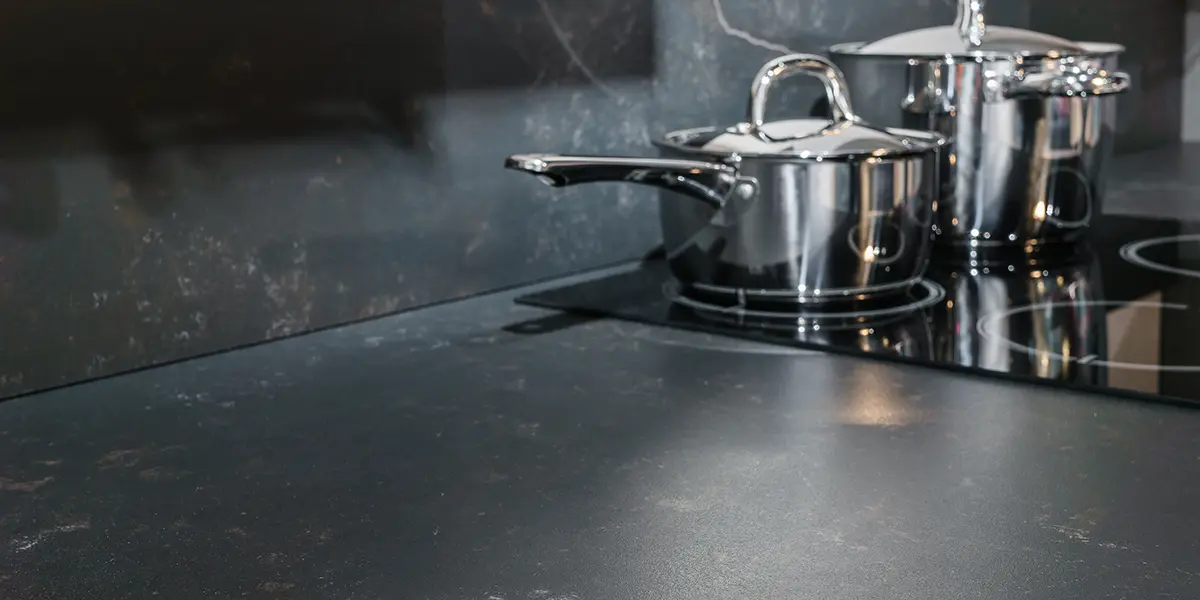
1030,116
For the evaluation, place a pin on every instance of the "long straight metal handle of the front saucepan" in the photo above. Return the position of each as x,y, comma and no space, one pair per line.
712,184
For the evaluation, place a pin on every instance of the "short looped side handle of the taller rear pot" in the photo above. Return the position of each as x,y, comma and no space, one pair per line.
1065,79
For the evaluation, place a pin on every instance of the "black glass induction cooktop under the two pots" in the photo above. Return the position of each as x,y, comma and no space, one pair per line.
1119,311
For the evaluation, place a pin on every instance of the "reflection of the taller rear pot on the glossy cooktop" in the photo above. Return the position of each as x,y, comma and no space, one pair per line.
1042,316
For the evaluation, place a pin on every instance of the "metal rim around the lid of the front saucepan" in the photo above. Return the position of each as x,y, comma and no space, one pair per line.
677,141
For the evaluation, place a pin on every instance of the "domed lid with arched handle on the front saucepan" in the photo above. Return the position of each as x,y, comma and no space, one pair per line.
843,137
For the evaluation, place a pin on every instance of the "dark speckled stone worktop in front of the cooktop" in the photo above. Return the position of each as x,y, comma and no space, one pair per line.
484,451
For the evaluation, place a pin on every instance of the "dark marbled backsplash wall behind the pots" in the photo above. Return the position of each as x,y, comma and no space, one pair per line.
178,178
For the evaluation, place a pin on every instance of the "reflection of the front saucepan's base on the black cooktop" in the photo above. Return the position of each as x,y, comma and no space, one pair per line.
892,326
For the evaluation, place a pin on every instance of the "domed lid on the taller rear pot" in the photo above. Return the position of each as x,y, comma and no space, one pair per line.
971,37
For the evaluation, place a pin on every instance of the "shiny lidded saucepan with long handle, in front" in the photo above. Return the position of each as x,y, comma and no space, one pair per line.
797,212
